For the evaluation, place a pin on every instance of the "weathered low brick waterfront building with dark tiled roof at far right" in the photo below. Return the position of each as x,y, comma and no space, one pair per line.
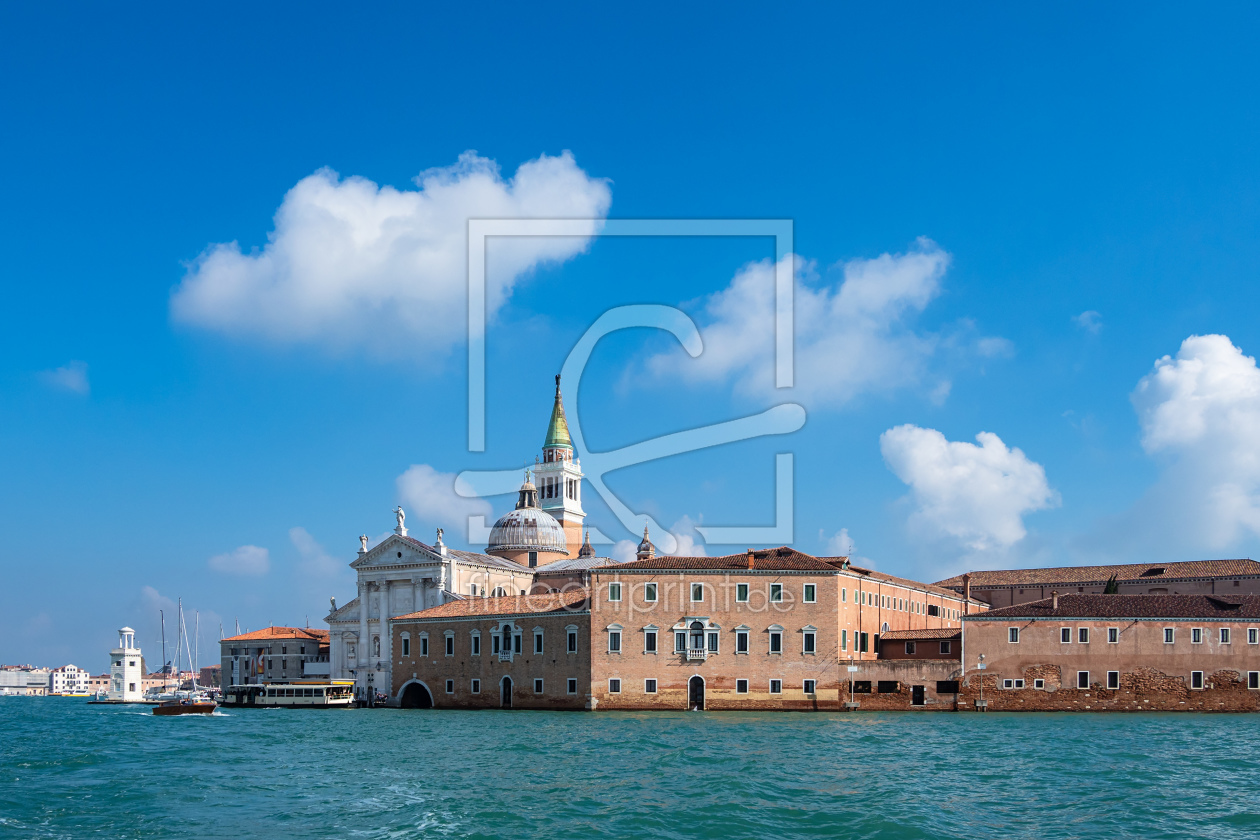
1117,653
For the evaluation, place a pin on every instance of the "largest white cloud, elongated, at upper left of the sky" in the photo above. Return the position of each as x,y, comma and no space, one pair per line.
351,264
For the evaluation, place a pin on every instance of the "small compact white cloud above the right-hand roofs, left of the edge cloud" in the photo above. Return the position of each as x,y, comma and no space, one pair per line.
975,494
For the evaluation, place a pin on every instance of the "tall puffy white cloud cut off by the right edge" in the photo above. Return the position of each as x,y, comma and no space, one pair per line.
1201,411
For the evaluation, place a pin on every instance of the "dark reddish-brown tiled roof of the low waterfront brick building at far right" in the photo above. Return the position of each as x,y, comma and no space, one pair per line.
1132,606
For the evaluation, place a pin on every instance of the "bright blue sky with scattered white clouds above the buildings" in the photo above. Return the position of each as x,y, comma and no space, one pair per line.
1029,208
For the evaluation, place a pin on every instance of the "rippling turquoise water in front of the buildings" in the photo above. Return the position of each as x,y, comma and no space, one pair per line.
70,770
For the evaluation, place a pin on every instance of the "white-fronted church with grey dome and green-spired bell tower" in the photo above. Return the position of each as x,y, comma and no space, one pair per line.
531,550
